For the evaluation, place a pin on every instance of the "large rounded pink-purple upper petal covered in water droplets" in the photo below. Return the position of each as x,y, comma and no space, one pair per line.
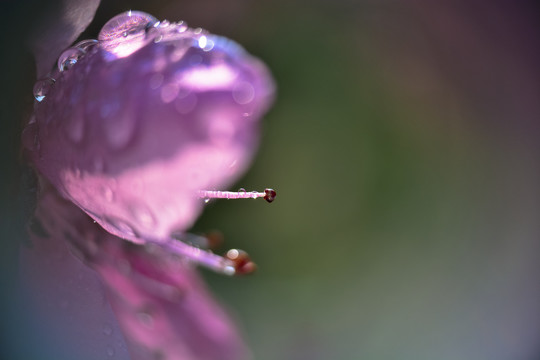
132,139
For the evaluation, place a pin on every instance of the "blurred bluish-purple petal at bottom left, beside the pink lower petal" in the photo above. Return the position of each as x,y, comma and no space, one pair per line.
67,299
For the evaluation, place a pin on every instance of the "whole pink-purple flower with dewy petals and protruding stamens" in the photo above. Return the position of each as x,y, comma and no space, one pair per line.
130,129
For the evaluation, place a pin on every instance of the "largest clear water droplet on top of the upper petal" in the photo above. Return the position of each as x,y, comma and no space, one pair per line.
130,23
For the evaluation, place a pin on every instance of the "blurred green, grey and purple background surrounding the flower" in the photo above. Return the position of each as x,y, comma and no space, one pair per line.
404,146
